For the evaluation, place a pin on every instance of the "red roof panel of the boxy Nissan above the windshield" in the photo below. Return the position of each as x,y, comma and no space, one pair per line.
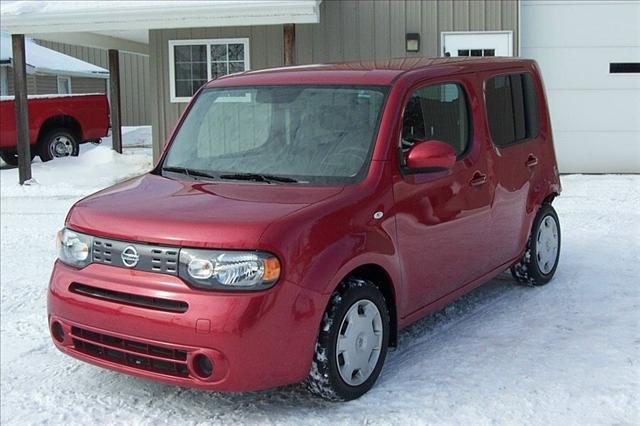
378,72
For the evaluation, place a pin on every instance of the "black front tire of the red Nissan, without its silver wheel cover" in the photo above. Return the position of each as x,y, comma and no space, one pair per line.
325,379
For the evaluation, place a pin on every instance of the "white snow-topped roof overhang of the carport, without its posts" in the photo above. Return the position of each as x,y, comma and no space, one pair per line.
125,25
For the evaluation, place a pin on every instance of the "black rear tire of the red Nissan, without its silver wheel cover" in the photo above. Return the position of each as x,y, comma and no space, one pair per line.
529,270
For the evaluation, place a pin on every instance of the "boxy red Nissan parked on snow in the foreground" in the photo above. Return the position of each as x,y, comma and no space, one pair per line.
300,217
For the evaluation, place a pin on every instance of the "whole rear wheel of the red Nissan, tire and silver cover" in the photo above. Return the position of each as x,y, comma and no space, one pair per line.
540,260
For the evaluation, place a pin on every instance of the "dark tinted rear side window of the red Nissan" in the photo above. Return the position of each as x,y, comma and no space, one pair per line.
512,108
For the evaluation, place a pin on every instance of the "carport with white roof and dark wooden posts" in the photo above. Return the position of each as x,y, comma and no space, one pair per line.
124,26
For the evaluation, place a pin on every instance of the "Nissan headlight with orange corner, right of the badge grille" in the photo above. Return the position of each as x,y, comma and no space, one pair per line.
228,270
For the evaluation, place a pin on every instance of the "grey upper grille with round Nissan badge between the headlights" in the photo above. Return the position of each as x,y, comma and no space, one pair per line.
151,258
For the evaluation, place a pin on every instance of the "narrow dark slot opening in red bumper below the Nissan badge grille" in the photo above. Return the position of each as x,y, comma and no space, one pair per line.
130,299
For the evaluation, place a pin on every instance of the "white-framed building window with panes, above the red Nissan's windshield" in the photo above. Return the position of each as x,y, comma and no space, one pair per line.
193,62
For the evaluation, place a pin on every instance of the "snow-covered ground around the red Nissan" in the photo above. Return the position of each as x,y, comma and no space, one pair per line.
567,353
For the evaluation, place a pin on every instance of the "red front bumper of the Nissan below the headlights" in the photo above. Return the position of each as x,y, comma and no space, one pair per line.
254,340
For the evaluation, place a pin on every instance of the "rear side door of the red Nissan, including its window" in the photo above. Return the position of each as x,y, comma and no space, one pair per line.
513,118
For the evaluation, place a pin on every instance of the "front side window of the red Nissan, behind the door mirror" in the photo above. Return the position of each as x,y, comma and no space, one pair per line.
437,112
